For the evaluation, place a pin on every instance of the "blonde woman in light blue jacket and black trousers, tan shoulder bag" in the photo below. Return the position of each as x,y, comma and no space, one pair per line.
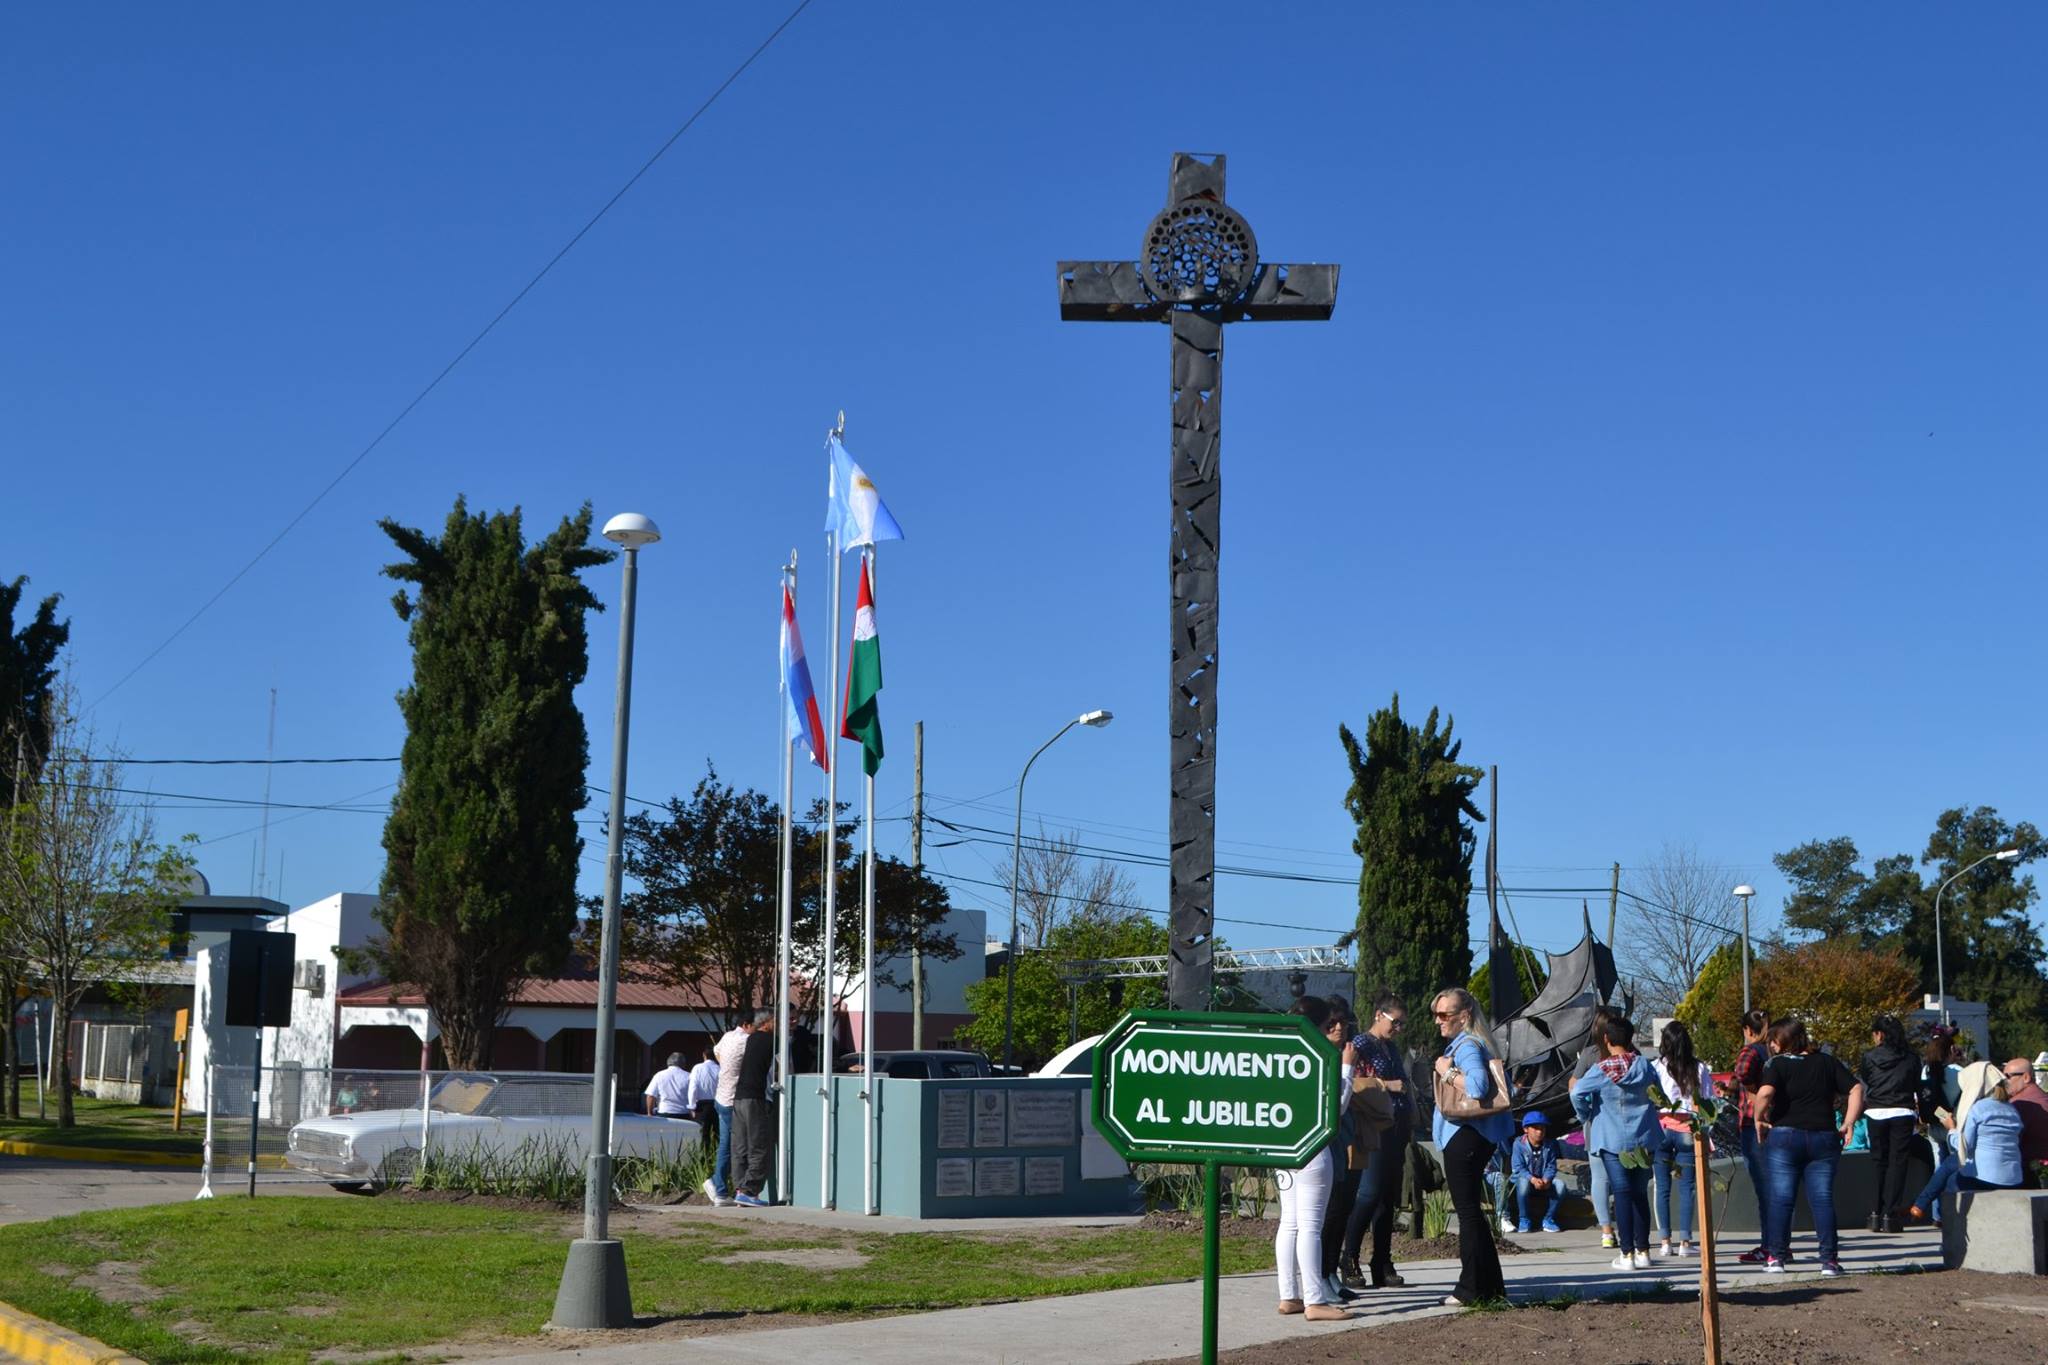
1469,1145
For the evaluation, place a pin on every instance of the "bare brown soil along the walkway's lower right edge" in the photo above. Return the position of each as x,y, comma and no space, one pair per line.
1959,1317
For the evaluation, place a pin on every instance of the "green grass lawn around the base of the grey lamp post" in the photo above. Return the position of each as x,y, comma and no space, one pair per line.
282,1278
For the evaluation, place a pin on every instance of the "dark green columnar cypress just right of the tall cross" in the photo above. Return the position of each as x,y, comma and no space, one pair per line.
1412,801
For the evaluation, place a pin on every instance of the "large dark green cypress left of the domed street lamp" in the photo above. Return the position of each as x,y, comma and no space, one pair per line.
482,846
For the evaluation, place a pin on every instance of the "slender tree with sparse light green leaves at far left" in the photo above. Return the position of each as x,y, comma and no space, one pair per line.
89,885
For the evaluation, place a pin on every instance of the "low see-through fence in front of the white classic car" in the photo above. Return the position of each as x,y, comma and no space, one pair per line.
355,1127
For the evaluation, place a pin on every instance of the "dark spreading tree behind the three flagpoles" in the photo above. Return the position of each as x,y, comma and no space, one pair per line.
706,918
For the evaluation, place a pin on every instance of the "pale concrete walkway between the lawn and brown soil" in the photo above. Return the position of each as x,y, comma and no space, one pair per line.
1166,1321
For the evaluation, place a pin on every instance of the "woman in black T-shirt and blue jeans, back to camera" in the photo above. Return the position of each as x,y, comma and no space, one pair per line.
1803,1141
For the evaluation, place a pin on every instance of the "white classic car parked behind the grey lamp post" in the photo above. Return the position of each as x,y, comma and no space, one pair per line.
470,1112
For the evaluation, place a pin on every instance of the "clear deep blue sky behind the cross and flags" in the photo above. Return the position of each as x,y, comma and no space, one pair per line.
1678,427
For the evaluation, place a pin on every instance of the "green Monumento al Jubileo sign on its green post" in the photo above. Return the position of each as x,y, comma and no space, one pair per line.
1215,1092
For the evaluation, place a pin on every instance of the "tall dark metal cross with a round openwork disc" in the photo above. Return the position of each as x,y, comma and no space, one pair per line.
1197,271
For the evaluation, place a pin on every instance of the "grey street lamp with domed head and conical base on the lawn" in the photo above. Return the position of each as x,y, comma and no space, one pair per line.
595,1290
